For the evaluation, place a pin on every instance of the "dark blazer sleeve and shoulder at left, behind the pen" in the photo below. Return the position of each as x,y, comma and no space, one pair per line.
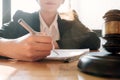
13,29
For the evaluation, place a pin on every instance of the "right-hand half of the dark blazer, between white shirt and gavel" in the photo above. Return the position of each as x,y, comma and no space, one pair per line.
75,35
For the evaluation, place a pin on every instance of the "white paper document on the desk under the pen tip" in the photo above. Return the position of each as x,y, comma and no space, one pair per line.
66,55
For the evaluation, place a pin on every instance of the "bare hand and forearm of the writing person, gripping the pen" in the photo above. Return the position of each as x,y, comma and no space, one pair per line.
27,48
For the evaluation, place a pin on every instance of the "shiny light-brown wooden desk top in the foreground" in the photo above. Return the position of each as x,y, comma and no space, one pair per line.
44,70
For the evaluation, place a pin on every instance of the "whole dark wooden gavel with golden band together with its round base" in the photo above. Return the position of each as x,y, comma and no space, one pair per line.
105,63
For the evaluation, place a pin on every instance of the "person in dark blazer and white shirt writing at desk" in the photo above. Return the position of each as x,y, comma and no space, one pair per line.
19,44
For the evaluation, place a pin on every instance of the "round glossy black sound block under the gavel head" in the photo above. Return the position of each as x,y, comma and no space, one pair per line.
100,63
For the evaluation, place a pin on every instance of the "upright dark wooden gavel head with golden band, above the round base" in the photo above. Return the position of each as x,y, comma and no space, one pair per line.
112,31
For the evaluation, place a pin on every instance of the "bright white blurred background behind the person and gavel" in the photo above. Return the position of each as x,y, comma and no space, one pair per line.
90,11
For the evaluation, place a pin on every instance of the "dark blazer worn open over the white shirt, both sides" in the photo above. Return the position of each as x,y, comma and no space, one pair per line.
73,34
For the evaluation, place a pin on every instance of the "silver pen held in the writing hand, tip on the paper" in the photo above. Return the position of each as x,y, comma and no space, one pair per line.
29,29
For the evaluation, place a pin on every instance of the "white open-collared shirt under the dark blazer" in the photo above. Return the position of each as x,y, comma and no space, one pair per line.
51,30
